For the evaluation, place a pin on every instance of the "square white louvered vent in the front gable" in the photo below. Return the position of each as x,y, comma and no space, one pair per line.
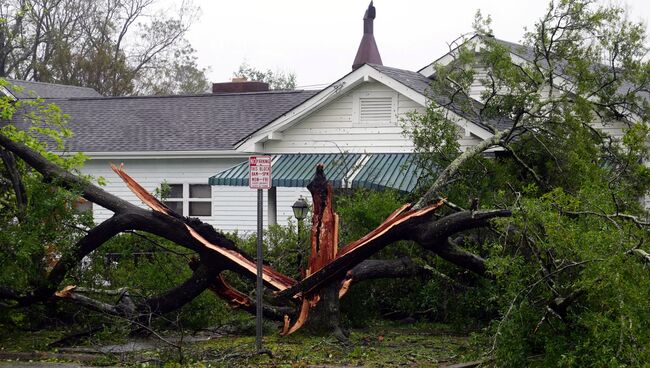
374,108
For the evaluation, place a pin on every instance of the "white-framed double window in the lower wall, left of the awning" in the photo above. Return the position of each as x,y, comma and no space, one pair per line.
190,199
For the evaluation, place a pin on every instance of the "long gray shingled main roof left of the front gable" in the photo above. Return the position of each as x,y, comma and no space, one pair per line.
172,123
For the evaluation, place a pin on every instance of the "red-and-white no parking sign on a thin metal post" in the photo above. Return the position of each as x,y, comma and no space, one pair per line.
259,177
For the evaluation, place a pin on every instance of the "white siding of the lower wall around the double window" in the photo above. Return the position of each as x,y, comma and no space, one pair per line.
233,208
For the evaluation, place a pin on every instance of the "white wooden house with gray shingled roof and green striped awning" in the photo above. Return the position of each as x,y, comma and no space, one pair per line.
199,144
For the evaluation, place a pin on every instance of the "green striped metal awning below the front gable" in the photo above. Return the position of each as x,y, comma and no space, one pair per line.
344,170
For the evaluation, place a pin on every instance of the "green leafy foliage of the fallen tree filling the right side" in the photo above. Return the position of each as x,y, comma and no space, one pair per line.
569,289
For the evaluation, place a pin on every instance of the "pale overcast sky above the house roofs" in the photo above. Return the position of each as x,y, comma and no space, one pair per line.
317,40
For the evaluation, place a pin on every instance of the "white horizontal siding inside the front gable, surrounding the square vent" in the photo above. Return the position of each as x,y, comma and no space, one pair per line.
334,128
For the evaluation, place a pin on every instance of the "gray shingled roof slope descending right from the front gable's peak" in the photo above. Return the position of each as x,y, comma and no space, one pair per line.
466,107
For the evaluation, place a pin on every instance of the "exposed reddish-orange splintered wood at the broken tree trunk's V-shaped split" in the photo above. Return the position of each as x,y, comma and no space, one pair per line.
326,264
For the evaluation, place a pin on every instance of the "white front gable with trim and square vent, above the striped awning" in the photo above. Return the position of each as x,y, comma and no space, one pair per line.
362,112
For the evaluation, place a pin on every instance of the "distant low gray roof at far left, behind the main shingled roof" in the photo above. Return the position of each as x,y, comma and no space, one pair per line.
48,90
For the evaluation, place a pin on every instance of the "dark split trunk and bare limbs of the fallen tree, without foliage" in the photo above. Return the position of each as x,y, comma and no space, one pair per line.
329,267
